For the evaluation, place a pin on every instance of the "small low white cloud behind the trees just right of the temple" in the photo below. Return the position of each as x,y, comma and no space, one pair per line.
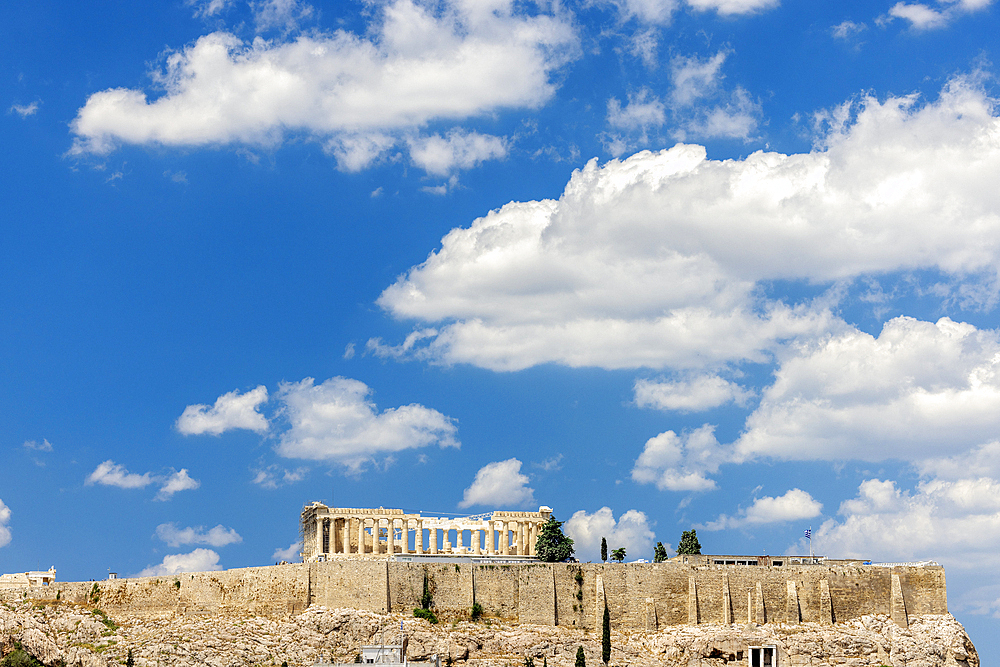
631,531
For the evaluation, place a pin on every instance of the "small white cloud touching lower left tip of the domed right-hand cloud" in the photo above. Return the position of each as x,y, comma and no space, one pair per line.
680,462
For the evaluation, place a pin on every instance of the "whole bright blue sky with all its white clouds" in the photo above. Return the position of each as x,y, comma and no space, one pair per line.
729,264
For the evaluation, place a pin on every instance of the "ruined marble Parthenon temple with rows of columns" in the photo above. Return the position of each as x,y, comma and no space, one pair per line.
335,532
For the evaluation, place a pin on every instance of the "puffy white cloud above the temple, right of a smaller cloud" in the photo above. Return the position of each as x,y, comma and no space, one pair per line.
335,421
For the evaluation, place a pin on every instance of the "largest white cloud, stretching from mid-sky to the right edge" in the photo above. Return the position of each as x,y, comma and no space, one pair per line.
656,261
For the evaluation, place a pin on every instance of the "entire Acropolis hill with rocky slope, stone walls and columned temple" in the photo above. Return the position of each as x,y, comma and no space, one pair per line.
690,610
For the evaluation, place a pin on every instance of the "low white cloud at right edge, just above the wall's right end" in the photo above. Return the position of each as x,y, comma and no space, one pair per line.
956,522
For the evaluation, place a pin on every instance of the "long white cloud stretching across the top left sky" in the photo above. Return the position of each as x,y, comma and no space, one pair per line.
357,95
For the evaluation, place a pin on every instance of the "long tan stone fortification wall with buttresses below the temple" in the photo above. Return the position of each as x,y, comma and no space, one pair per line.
638,595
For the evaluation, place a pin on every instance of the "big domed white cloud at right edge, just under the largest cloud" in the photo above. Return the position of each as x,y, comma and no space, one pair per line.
920,390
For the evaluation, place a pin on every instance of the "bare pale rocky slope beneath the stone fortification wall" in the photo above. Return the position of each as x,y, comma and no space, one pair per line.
78,636
